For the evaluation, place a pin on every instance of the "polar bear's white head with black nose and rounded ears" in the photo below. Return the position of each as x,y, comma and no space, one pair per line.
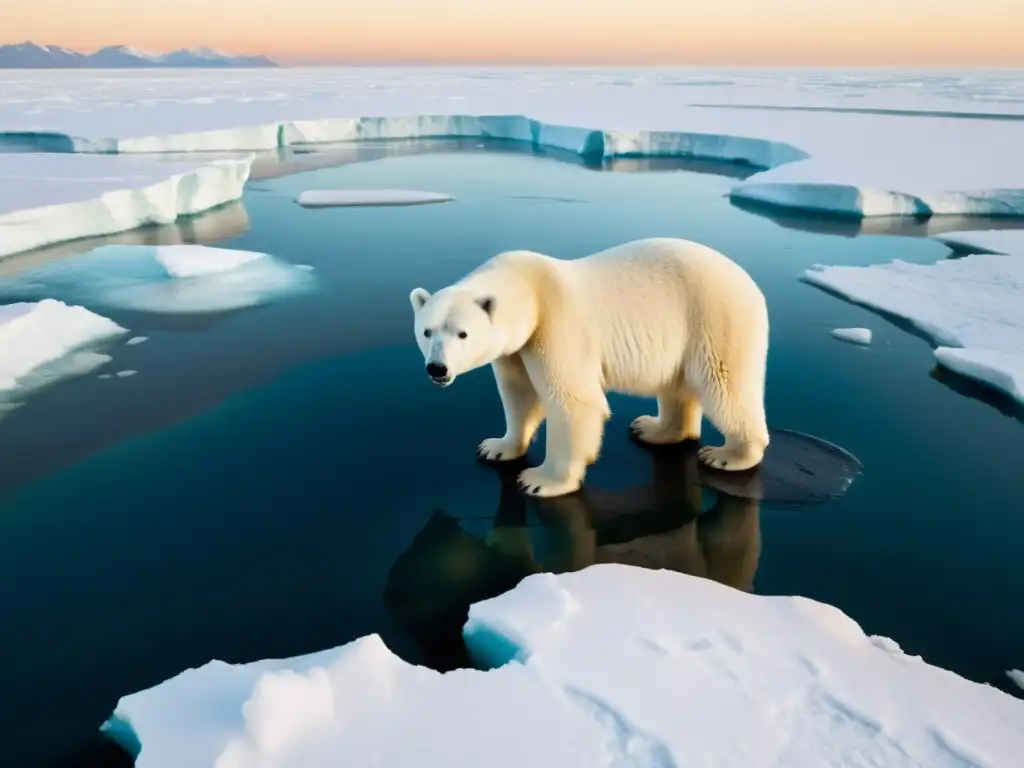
456,332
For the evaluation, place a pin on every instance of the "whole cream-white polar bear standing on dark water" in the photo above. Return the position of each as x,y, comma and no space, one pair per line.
663,318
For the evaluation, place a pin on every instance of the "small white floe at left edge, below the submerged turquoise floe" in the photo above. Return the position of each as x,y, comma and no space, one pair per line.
33,334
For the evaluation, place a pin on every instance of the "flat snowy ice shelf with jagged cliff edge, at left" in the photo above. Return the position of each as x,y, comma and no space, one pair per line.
47,199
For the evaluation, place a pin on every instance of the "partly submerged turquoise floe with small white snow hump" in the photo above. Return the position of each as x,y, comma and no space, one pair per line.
172,279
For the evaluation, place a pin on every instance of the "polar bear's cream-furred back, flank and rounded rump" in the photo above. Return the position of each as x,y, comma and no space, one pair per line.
655,305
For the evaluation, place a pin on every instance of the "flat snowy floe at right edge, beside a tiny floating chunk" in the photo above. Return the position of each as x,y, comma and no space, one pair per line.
971,308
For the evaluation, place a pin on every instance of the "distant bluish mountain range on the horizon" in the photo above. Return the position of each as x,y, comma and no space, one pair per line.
32,57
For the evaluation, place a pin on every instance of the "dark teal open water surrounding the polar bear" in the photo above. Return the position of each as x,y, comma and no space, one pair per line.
281,480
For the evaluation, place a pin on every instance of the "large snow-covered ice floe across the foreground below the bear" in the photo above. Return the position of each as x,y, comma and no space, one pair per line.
612,666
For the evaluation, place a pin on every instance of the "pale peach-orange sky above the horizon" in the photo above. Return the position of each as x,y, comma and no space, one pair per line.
582,32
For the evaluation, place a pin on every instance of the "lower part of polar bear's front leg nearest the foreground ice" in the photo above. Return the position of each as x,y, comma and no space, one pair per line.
574,441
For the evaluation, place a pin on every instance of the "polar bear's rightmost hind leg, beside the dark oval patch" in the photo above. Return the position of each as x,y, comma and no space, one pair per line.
734,402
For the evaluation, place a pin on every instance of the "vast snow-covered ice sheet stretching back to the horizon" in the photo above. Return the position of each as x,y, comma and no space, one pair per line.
874,145
